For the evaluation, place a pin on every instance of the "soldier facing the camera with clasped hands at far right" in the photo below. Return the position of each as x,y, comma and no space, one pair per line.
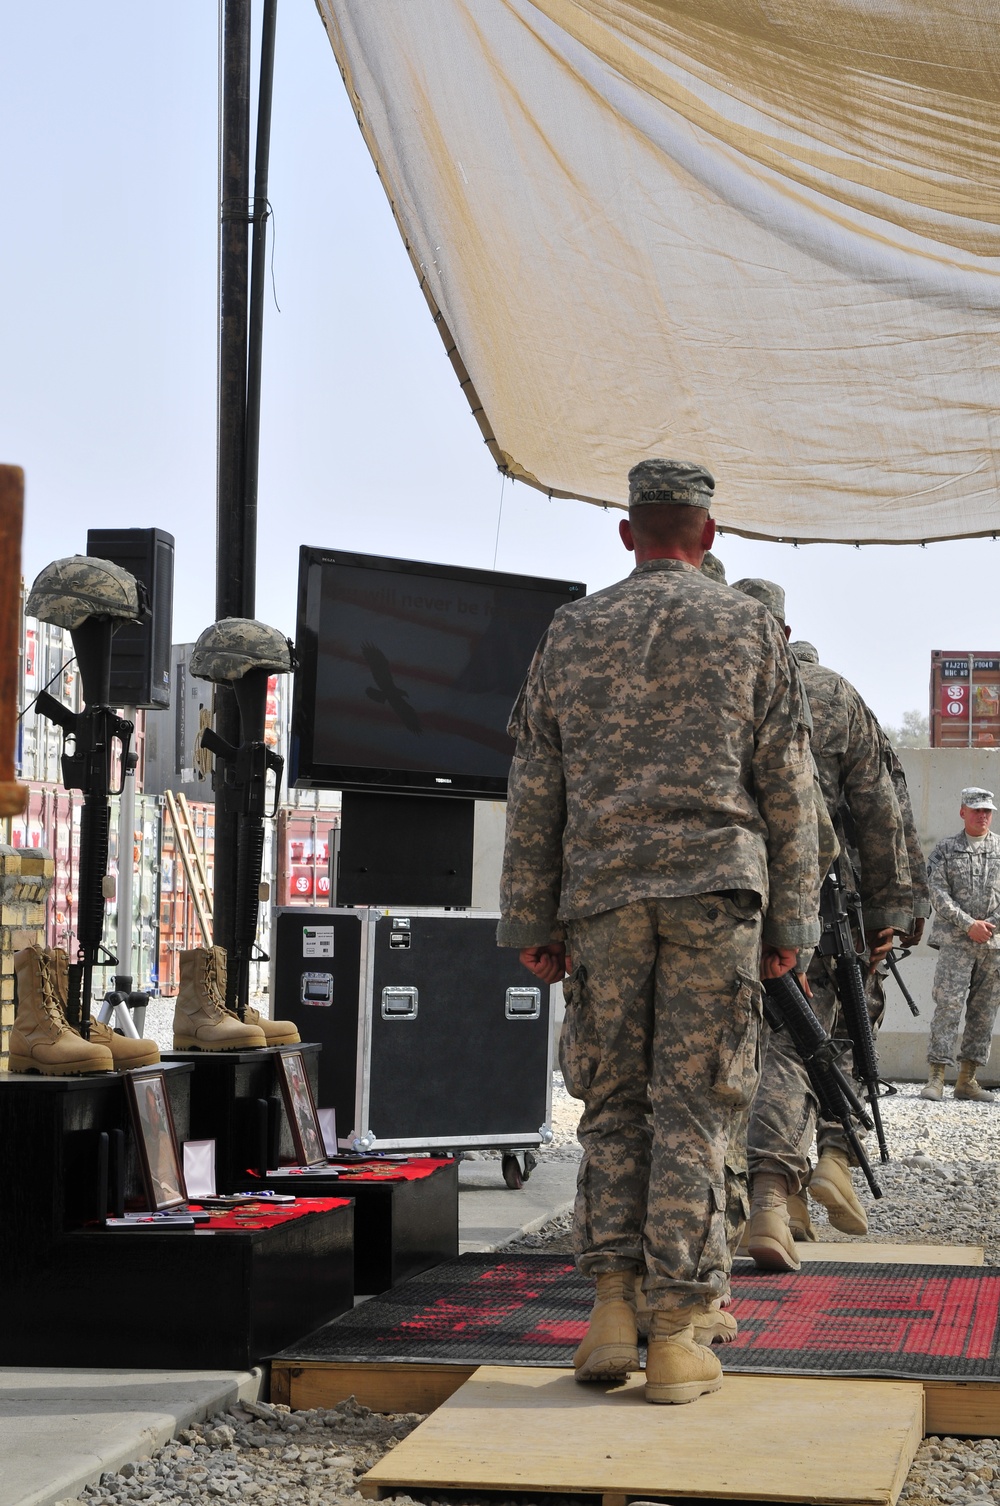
965,879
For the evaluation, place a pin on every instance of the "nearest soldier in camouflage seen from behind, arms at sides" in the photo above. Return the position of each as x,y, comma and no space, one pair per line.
662,852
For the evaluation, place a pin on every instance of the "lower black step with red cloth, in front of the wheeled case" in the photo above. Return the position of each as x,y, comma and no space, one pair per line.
400,1228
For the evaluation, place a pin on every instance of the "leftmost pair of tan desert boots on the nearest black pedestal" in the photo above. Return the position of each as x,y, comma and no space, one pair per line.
44,1041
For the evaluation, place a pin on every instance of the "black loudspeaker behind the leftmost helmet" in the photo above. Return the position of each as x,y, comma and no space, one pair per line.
141,651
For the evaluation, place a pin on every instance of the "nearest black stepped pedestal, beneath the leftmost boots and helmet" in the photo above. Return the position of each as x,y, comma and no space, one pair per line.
145,1297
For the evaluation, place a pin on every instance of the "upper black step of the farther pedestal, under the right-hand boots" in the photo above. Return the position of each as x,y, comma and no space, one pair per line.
237,1103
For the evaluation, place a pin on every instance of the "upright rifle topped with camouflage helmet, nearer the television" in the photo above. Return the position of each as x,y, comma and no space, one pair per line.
243,654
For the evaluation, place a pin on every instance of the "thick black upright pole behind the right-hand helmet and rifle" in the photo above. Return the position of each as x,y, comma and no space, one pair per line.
234,590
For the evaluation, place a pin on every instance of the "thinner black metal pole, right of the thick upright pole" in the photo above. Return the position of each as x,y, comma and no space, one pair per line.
258,275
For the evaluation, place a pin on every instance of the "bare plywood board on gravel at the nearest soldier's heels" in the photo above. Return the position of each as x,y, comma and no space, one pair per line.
537,1430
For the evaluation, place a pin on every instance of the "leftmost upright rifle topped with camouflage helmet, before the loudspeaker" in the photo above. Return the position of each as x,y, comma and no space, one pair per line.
93,599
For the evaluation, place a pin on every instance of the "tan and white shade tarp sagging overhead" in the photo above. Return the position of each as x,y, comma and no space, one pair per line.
758,234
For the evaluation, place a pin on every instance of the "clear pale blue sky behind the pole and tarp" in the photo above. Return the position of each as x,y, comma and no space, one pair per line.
108,356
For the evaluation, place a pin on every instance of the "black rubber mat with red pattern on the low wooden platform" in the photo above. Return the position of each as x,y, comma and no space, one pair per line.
910,1322
